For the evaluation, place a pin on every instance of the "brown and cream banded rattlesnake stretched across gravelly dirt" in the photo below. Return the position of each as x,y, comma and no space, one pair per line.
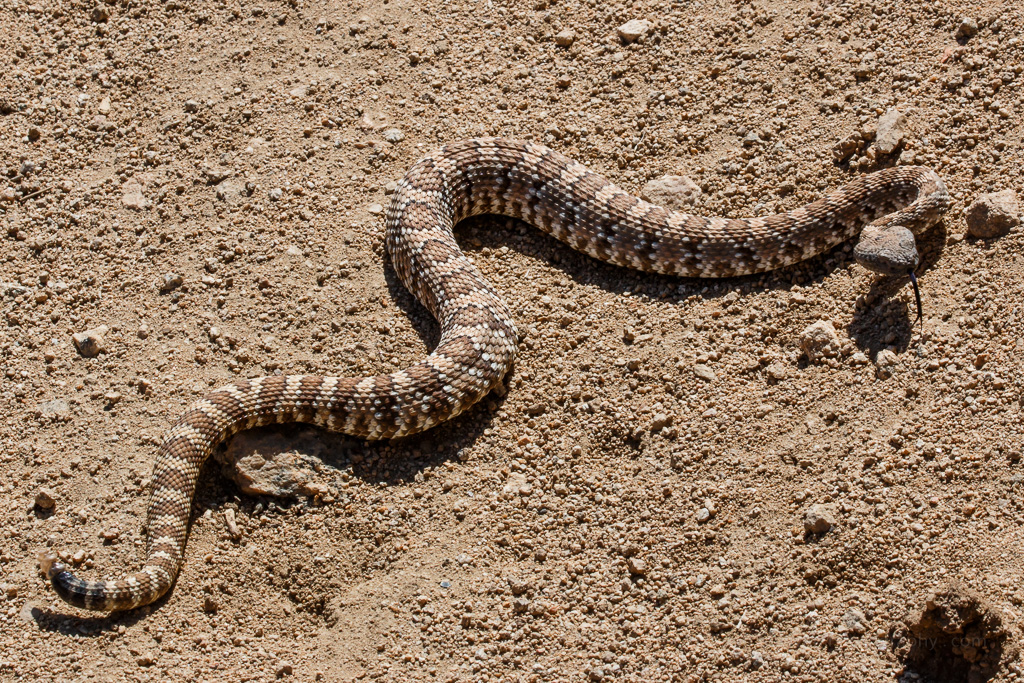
479,337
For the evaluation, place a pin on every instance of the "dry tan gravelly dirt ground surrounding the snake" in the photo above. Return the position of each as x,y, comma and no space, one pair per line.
670,489
